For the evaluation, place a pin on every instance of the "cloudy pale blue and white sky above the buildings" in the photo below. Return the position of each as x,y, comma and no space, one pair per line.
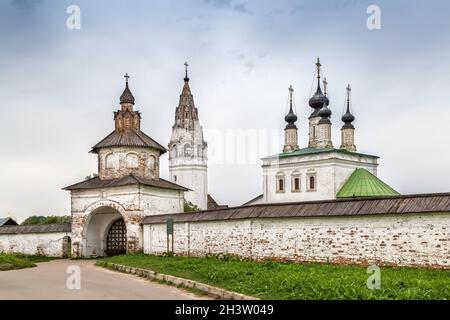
59,87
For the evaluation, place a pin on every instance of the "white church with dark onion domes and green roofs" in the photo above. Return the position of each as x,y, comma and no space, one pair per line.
320,171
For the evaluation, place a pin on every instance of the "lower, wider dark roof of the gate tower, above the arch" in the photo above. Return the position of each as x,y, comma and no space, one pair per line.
131,179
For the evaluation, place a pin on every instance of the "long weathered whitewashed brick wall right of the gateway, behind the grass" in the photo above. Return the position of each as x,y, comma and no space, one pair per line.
405,240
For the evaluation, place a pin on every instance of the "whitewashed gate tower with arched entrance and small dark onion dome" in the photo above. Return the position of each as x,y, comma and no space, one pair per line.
107,209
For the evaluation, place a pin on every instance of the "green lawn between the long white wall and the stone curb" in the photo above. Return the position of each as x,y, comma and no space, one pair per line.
279,280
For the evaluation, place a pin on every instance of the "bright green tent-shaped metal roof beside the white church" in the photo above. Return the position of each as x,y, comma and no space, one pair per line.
364,184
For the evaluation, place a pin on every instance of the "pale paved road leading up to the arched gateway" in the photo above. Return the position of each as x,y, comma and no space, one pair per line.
48,281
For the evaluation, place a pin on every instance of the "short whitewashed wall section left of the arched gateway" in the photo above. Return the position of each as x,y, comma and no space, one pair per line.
48,244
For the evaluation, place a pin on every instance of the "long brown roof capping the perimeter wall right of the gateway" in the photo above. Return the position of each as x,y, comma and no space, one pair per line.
421,203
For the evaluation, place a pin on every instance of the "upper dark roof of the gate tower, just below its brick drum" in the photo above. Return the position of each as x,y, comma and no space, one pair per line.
129,138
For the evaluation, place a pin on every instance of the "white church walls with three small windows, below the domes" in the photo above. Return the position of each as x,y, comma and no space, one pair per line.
331,170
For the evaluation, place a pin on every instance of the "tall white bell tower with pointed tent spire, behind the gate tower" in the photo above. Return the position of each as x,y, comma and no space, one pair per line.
188,150
